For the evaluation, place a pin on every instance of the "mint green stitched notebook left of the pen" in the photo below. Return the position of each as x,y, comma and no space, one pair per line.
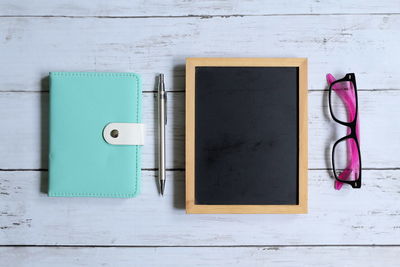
81,160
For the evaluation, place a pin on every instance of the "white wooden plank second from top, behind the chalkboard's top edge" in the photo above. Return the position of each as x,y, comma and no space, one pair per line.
364,44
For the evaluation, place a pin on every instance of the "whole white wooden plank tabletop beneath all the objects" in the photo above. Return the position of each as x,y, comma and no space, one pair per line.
343,228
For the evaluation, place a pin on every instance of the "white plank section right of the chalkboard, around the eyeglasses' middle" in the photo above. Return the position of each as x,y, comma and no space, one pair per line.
374,130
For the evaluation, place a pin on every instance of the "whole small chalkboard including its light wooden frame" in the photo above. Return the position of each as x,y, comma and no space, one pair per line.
246,155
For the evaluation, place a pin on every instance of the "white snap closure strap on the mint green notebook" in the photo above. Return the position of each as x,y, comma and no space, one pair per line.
124,133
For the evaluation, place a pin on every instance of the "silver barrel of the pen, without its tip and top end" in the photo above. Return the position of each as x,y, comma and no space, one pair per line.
161,132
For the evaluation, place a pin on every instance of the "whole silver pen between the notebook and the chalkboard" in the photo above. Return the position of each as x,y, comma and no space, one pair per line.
162,121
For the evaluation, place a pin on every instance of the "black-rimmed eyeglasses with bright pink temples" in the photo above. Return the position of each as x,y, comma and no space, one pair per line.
346,155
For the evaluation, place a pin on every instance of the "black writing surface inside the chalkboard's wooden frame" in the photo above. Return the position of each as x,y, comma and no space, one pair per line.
246,135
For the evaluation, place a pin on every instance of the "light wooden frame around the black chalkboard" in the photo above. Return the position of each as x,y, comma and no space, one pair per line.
300,206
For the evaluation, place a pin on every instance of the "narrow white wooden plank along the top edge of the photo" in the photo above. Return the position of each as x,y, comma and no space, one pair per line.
185,8
